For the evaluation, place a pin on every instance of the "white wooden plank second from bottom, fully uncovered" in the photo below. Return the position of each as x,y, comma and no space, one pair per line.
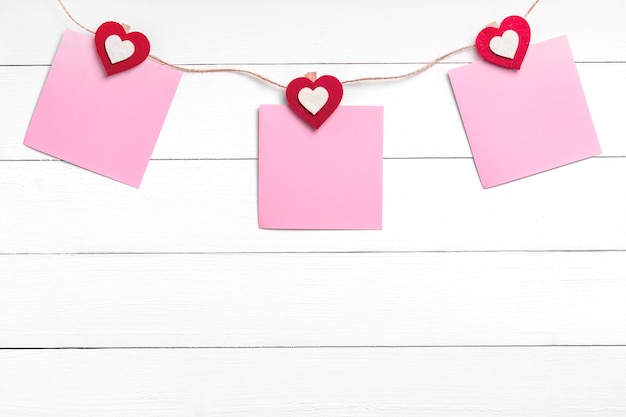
235,300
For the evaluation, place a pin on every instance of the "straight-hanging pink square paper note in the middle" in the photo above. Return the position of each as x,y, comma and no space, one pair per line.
330,178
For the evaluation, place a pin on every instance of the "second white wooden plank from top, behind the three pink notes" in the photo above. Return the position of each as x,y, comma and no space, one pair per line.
215,116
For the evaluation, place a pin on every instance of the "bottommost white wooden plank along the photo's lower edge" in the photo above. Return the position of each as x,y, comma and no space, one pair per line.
547,382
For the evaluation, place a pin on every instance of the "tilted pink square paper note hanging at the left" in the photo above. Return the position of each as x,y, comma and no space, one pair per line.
108,125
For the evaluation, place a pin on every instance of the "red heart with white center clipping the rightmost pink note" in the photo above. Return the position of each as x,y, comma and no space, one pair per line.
497,45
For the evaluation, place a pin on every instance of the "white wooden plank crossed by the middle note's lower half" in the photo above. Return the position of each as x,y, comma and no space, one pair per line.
211,206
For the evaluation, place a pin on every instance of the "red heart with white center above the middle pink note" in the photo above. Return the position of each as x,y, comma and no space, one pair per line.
306,98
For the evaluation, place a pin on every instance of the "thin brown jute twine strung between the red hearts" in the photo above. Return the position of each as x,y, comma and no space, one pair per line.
423,68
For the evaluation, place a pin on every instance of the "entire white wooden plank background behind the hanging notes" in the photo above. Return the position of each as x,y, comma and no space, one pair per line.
170,301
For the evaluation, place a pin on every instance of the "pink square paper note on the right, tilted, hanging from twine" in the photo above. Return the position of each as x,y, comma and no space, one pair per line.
519,123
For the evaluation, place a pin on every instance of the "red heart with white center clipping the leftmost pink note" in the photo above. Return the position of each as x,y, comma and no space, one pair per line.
119,50
